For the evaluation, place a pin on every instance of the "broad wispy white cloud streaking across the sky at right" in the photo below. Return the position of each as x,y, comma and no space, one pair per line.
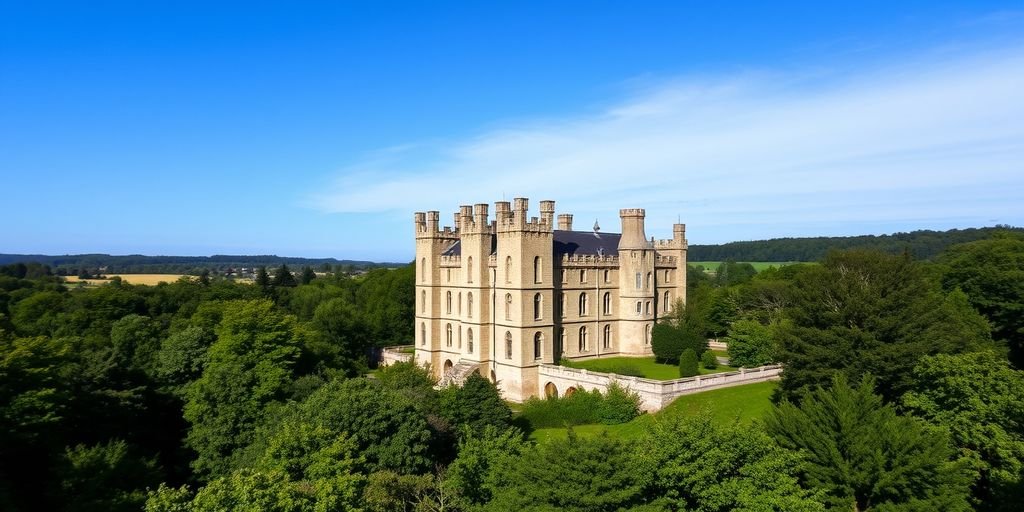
935,139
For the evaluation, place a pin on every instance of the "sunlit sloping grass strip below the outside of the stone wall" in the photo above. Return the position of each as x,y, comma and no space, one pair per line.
744,404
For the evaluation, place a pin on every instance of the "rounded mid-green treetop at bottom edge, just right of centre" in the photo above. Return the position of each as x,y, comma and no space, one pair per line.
573,475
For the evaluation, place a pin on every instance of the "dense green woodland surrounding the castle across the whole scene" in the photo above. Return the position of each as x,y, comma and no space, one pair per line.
902,392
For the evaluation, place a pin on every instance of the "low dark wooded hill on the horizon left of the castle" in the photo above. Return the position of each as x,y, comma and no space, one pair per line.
137,264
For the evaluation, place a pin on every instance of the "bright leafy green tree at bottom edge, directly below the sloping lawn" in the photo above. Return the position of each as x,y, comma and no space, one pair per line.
703,467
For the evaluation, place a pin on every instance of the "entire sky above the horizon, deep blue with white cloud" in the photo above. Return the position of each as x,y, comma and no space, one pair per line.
317,130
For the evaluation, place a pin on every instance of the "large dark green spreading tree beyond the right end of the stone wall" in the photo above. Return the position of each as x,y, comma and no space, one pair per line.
863,313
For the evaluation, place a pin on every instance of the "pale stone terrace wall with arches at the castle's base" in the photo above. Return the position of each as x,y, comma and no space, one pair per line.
655,395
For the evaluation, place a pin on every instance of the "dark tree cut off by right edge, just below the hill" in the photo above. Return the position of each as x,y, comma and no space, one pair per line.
992,274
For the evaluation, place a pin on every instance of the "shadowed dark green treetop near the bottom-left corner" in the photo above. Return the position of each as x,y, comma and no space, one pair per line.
106,478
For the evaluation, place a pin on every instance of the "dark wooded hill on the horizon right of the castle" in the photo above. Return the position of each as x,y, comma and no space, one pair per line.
922,245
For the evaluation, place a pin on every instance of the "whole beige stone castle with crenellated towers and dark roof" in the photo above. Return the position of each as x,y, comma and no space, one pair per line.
502,297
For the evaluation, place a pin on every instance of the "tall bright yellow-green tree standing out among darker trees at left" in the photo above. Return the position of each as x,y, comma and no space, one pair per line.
249,368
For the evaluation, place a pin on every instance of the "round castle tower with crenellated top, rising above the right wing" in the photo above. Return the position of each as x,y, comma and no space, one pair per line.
636,284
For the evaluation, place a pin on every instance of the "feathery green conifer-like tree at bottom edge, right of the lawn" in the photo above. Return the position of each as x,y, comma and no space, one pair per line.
863,455
